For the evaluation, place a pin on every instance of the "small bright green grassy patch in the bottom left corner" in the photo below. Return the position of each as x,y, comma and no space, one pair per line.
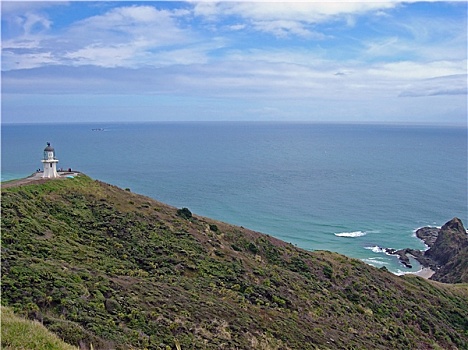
19,333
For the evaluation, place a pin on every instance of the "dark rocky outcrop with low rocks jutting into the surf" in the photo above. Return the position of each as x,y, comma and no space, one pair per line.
447,255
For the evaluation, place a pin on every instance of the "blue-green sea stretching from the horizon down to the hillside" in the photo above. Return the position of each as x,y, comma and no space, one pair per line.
346,188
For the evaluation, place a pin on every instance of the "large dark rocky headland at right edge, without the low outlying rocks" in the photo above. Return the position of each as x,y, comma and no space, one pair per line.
450,252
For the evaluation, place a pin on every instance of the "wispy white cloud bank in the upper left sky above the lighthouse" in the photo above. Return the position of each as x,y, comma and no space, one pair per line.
128,36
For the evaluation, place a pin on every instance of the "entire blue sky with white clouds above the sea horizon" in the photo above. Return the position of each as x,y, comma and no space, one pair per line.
104,61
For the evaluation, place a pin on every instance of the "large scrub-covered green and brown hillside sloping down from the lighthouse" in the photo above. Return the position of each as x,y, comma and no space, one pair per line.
103,266
